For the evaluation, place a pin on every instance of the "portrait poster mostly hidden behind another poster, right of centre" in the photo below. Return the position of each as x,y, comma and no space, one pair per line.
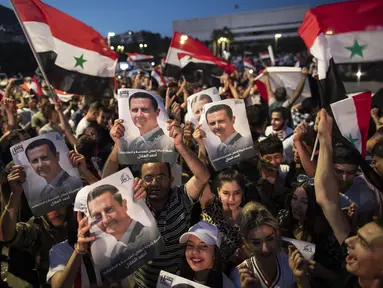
196,102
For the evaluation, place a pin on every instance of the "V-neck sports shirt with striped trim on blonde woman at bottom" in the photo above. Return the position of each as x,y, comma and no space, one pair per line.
284,279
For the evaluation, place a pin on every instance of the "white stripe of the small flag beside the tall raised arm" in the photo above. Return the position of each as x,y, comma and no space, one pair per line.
346,118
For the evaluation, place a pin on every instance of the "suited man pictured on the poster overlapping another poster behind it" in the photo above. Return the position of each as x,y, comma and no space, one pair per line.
221,122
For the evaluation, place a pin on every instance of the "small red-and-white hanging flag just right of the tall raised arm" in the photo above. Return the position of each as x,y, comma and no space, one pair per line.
352,115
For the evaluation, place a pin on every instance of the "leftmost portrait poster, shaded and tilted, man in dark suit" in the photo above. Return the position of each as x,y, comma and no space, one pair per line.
51,181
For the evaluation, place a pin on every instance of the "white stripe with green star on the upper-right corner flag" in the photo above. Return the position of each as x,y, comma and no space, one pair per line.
371,52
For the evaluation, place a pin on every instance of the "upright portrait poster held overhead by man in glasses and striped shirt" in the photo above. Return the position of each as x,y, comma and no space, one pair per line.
146,137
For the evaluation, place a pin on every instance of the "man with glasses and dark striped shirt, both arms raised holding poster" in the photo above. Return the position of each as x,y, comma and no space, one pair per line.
171,207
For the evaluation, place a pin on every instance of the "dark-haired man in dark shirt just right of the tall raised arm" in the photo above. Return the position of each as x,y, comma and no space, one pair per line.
352,185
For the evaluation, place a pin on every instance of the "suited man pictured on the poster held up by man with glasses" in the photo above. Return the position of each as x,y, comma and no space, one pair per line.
144,112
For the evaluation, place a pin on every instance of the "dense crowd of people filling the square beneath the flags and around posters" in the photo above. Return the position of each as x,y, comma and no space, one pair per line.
220,228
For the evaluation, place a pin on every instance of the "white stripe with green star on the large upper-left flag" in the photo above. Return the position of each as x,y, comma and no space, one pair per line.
43,41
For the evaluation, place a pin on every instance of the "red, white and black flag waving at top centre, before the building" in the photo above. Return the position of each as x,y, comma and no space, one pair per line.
182,44
